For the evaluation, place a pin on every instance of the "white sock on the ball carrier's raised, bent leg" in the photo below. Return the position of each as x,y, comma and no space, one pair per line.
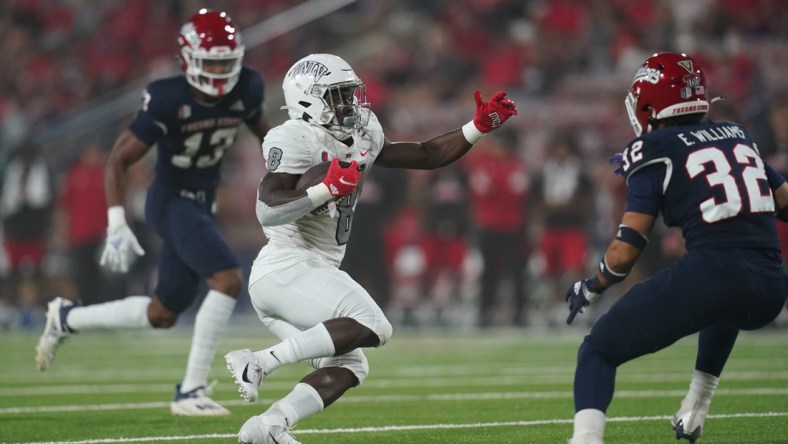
309,344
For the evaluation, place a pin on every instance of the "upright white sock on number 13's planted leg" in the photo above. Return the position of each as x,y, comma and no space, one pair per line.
211,319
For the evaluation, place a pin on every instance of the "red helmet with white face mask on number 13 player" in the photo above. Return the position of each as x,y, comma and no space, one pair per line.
211,52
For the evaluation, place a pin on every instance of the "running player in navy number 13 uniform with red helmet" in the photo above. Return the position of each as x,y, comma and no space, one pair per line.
192,119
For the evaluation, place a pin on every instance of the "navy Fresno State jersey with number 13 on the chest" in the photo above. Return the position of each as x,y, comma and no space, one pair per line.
192,136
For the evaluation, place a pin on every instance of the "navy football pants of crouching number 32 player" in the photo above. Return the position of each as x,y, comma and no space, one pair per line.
714,292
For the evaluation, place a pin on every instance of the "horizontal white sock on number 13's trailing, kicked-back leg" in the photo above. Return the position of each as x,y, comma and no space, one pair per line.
130,312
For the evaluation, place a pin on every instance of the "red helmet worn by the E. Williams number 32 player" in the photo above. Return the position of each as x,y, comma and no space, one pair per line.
666,85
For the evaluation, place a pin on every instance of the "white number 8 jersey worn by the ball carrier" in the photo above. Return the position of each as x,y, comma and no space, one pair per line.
294,147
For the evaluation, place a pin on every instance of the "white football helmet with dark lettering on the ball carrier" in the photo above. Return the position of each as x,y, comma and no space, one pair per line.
323,89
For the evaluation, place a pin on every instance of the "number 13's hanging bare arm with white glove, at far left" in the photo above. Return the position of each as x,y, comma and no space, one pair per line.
121,242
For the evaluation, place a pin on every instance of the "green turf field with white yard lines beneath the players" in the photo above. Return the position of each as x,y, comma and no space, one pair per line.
427,387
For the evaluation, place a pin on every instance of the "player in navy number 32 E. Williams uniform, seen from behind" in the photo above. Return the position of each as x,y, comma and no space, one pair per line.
707,178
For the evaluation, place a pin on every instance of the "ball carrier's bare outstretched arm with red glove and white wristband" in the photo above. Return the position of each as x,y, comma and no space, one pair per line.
448,147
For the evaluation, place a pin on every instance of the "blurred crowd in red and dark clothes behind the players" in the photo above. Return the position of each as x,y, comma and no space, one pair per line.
491,241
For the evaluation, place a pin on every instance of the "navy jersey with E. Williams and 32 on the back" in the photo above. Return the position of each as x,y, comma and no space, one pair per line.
712,183
